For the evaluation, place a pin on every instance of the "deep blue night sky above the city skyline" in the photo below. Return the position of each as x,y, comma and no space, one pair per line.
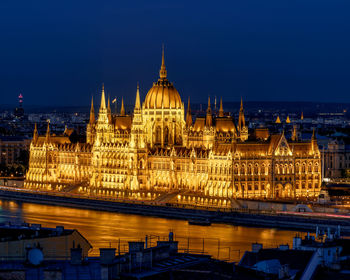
59,52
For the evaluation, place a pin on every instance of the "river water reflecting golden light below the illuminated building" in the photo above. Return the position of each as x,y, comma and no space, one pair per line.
105,229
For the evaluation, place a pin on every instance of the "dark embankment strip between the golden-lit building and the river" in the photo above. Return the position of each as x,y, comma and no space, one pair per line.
288,220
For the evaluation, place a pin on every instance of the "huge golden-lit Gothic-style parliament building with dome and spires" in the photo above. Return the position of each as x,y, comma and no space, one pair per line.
159,153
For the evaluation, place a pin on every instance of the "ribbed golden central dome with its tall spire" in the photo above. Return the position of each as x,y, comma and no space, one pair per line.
163,94
